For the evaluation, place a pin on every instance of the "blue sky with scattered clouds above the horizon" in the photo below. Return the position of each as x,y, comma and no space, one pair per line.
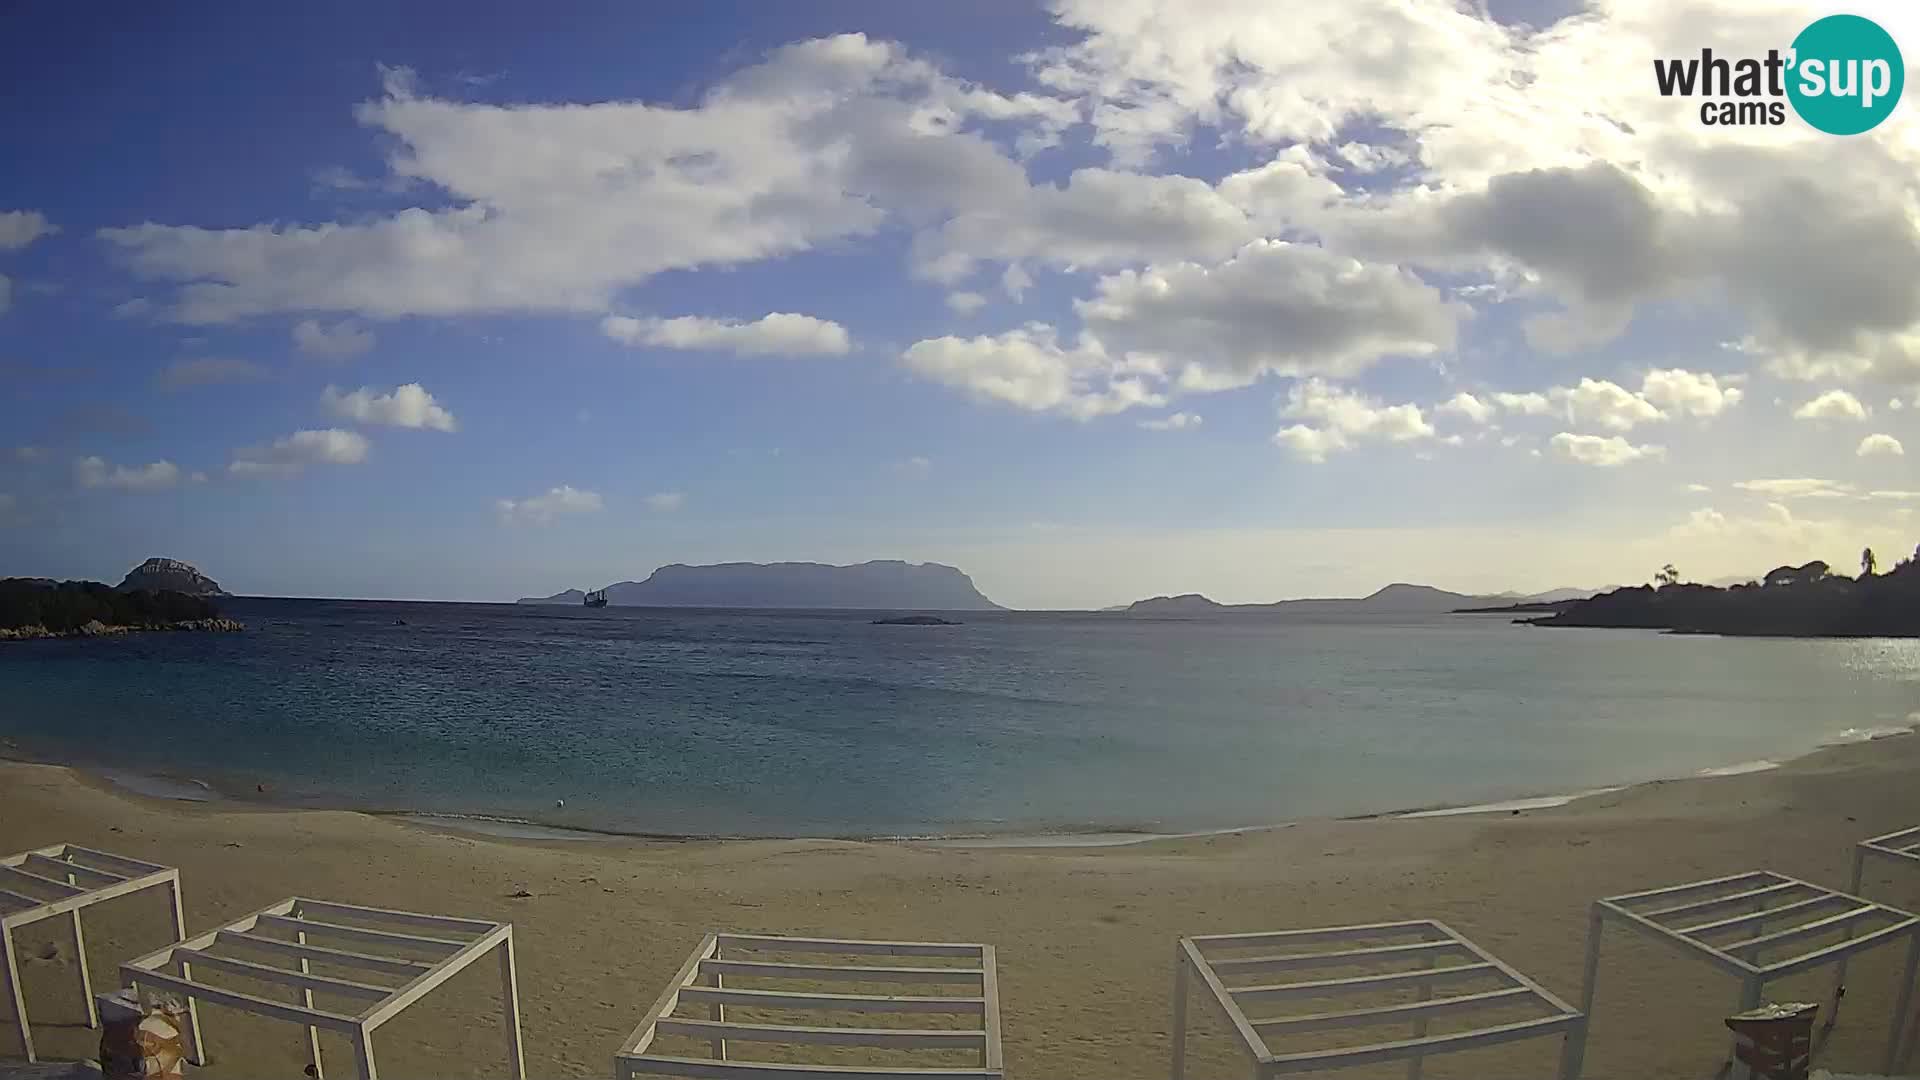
1095,301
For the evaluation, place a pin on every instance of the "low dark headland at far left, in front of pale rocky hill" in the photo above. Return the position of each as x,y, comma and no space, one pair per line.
41,608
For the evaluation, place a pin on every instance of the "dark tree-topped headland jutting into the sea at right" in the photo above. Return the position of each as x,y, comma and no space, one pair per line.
1790,602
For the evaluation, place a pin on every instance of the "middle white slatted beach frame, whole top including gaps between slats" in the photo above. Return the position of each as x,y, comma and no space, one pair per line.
923,1010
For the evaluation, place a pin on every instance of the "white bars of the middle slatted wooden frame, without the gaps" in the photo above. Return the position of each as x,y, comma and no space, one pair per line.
704,979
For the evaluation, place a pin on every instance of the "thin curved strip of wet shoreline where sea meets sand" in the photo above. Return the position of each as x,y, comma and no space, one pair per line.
506,827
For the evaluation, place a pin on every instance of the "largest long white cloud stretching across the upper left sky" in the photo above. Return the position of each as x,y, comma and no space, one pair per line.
562,207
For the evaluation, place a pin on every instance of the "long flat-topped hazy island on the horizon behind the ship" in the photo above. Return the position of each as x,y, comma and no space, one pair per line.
884,585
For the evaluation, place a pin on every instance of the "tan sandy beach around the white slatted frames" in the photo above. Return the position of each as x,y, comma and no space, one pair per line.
1086,935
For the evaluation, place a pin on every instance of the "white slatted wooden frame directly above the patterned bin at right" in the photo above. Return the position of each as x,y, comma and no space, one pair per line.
1733,921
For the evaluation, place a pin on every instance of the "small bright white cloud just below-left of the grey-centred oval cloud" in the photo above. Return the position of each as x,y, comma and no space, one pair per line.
1032,370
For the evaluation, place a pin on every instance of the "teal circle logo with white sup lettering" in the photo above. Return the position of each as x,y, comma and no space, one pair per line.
1846,76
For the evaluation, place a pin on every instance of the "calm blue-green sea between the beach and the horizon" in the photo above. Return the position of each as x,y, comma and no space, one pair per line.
821,724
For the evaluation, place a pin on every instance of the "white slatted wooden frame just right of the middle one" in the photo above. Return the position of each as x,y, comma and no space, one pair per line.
1439,956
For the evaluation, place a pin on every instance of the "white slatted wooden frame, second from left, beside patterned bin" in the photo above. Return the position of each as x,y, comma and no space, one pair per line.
370,941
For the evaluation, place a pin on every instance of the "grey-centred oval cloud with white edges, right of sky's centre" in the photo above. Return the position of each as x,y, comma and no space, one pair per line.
1274,308
